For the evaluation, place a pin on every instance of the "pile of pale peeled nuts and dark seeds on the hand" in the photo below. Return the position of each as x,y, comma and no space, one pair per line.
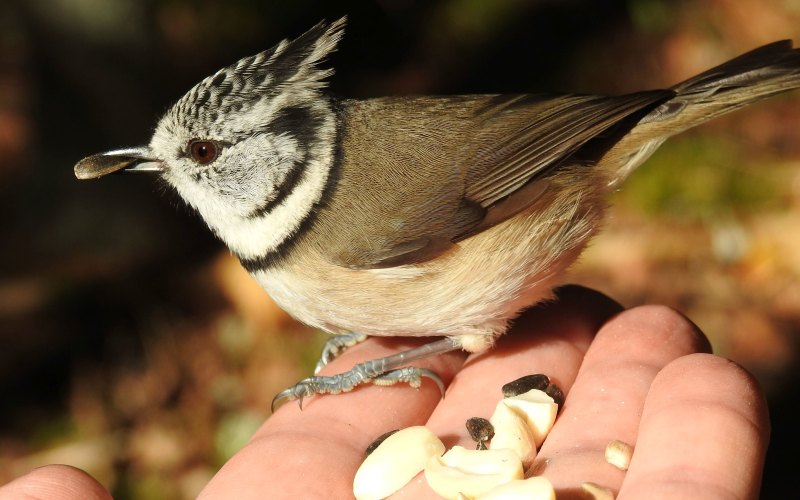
515,431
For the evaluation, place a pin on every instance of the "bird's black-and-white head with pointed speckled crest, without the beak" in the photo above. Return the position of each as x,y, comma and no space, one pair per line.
251,146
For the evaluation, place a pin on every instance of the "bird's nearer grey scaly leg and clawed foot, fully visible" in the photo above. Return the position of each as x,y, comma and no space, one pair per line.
381,371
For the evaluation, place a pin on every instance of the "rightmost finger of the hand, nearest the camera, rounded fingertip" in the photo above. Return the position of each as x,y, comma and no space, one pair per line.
704,433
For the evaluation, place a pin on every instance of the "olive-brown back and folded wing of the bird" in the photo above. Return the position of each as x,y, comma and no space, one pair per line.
449,170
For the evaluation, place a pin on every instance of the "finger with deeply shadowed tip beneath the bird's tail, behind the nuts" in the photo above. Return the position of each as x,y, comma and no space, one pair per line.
550,339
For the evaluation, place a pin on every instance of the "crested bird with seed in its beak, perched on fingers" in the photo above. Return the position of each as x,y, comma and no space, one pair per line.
424,216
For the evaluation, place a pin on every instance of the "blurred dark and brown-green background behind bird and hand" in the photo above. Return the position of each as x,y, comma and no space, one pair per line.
132,345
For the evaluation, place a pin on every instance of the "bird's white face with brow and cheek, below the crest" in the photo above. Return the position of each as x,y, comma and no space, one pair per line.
260,190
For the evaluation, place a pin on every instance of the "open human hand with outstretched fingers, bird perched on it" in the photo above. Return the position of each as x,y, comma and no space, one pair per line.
645,376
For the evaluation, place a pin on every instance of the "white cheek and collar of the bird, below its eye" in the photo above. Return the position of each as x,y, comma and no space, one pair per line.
227,199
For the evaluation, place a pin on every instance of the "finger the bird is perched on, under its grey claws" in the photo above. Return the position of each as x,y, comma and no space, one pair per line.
315,452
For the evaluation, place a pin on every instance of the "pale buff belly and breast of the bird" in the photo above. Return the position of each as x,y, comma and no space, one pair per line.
471,292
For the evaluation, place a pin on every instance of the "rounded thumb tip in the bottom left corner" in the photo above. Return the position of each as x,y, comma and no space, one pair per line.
54,482
